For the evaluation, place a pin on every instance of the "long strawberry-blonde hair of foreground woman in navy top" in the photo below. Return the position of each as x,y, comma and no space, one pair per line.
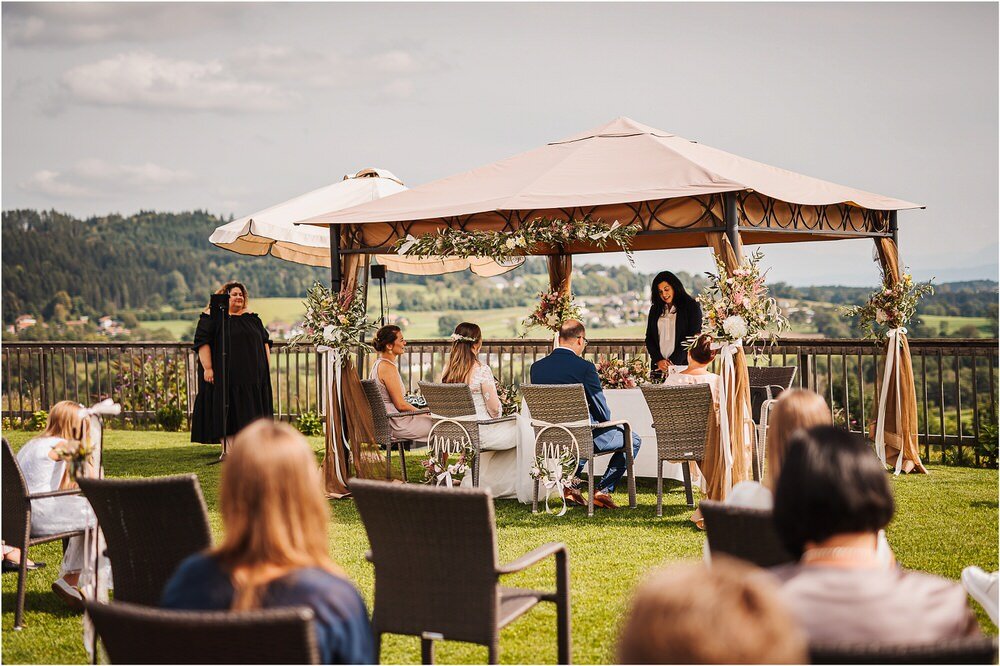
272,504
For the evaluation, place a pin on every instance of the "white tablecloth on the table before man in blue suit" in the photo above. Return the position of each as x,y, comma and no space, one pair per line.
625,404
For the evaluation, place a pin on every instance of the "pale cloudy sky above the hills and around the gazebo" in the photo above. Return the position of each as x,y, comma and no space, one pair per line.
231,107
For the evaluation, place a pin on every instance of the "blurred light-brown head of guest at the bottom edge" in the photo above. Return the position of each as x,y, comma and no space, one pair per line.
727,614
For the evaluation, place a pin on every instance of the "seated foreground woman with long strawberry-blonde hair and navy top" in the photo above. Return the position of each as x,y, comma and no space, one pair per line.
275,550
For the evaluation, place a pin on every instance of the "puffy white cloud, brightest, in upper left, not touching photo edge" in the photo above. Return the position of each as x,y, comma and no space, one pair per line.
144,80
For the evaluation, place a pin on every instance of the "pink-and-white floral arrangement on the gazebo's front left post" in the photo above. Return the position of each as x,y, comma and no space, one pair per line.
329,322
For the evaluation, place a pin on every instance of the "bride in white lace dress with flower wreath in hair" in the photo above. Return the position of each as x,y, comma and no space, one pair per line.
498,441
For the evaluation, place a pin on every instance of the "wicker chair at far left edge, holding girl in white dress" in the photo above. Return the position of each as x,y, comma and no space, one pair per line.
17,521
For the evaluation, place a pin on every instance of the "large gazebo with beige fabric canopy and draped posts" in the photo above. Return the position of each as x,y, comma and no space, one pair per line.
678,192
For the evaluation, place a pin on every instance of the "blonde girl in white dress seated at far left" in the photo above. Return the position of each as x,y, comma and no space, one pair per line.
42,461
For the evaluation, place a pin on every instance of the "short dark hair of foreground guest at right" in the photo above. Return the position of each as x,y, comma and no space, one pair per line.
831,483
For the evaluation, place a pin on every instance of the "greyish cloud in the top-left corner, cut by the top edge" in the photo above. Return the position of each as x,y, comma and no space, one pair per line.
68,24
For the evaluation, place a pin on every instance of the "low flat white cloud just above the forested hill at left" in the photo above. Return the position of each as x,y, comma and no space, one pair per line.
93,178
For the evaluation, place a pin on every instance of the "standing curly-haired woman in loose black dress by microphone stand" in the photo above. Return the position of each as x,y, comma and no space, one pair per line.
249,378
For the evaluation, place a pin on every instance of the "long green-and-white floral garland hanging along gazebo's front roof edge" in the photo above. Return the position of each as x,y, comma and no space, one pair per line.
507,246
